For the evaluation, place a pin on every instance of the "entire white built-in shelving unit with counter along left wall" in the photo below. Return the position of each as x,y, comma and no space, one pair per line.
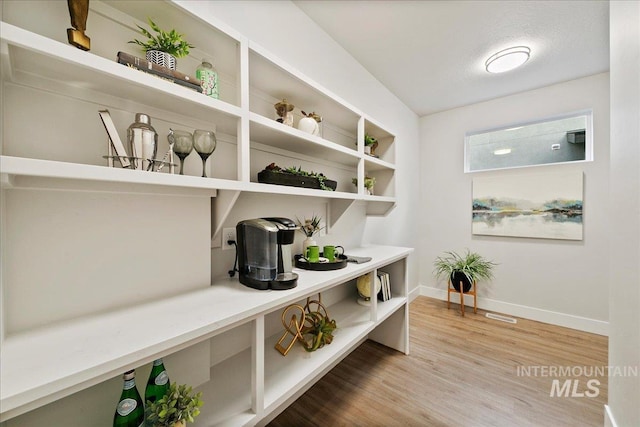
255,381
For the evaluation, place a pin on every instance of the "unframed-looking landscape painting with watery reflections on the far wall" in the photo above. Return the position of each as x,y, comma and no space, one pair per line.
540,206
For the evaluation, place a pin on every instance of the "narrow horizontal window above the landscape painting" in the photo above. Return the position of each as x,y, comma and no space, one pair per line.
561,139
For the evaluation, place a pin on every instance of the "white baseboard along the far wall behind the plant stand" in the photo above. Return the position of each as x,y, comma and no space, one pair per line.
546,316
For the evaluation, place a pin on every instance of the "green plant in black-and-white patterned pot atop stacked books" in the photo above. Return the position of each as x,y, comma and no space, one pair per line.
164,47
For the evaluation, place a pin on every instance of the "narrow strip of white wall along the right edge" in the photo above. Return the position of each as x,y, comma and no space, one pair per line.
624,295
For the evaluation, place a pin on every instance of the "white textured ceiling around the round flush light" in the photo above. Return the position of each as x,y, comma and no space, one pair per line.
431,54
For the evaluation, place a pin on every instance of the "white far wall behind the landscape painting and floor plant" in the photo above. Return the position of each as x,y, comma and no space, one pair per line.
557,281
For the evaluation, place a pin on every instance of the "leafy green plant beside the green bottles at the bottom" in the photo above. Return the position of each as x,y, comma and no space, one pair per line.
175,408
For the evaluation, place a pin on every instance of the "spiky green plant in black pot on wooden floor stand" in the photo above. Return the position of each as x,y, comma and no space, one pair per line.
465,268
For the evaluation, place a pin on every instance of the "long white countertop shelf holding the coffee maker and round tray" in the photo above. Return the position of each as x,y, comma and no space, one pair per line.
92,349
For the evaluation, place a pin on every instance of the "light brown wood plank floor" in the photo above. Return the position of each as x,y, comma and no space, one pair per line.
461,372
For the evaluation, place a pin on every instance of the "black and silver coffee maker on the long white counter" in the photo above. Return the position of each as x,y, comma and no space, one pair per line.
264,253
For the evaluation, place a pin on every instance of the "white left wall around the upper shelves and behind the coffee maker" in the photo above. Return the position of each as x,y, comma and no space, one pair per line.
288,33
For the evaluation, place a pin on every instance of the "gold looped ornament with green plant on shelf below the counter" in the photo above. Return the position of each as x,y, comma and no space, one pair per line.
310,325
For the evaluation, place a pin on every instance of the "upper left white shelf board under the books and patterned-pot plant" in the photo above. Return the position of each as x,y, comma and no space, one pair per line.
24,53
